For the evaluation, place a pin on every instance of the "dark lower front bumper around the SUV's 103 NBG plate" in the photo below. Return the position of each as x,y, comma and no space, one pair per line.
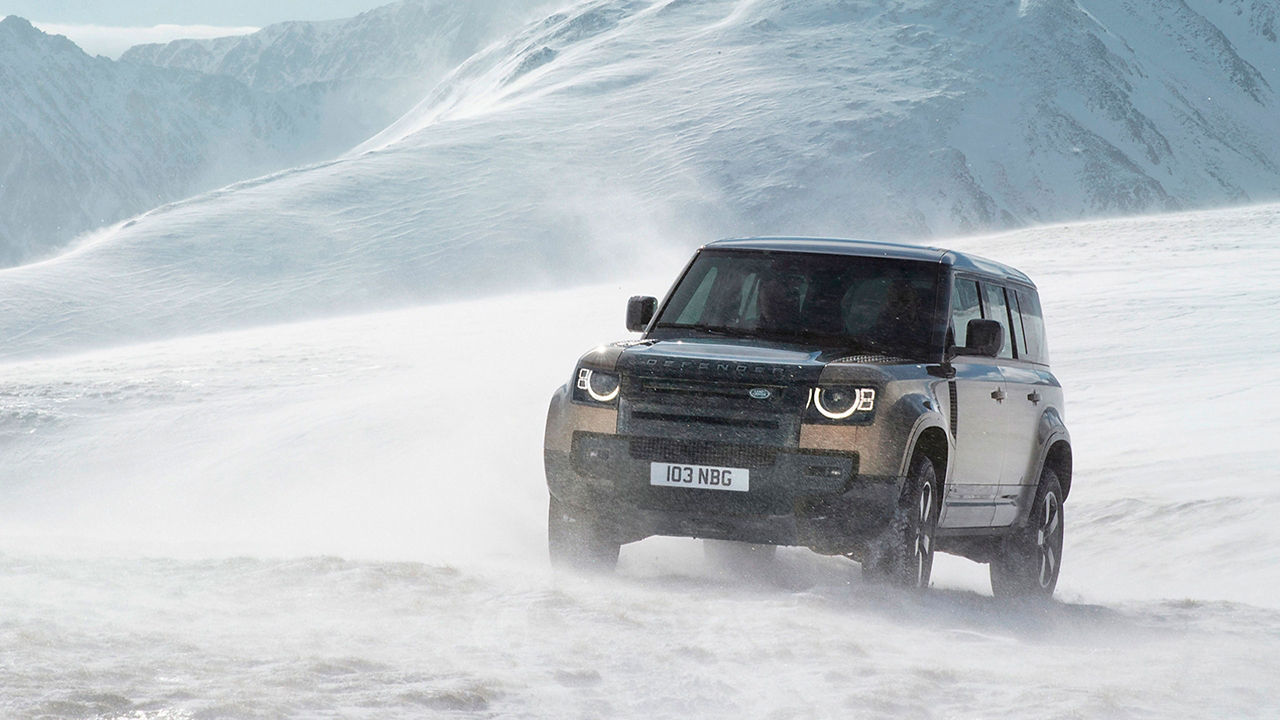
798,496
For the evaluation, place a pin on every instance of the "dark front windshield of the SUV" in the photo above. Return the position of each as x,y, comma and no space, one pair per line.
865,304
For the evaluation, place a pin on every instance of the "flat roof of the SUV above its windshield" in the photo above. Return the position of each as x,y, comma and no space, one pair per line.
874,249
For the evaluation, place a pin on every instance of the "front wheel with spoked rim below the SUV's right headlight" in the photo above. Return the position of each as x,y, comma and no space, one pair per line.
906,557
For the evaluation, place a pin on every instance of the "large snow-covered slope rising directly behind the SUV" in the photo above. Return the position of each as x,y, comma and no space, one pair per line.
615,127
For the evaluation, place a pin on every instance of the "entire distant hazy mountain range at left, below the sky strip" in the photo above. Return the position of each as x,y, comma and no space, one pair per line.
88,143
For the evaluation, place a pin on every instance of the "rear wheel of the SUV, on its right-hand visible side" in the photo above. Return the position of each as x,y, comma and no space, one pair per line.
1028,562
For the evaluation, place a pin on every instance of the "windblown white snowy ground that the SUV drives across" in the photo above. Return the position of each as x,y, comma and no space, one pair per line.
345,520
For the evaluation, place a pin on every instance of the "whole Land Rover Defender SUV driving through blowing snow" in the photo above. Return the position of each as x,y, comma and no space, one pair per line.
863,399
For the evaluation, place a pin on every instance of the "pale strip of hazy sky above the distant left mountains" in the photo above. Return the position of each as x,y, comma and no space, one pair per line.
113,26
